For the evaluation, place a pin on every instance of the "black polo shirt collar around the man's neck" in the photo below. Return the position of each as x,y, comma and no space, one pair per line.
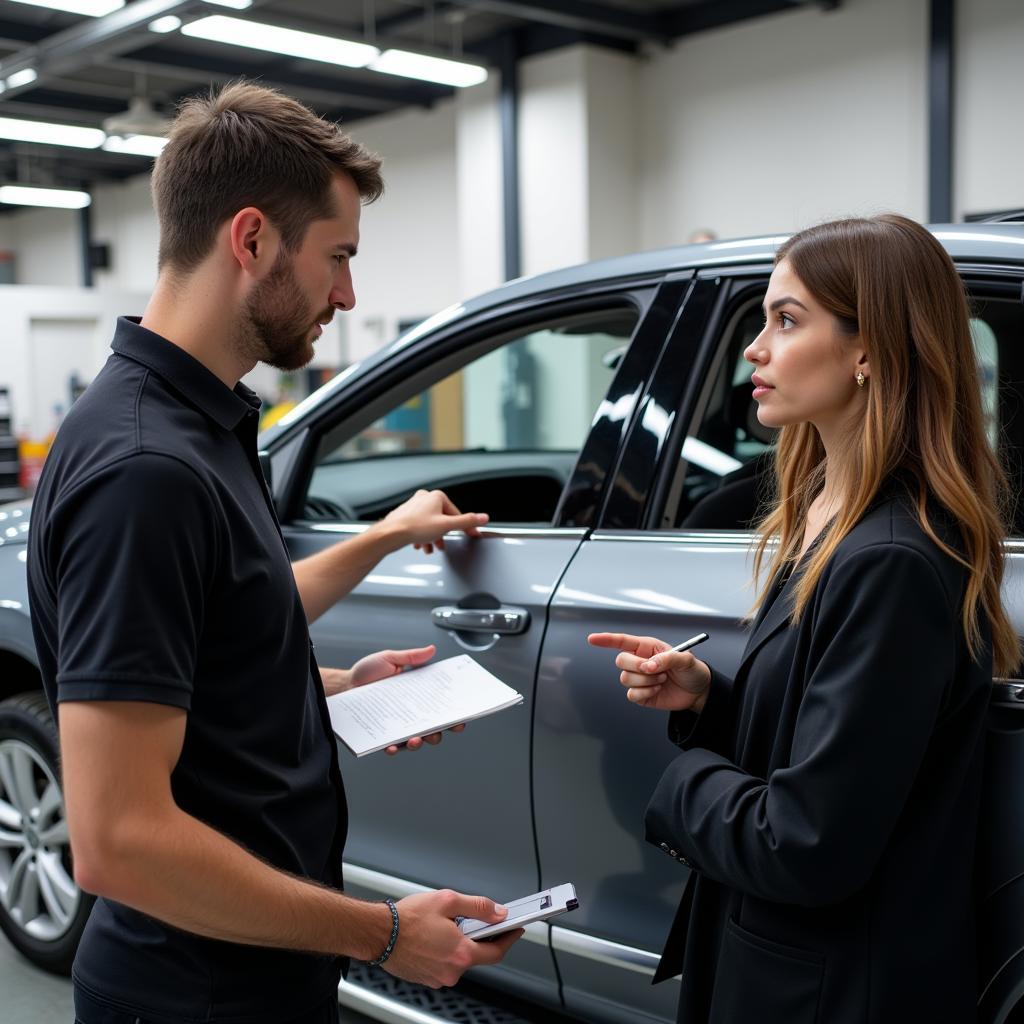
185,373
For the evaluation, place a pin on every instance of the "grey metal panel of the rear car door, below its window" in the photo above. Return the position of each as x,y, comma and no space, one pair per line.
601,757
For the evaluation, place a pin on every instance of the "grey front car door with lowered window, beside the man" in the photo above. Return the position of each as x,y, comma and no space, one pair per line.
496,410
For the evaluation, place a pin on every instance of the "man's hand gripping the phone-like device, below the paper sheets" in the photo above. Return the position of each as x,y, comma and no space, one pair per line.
432,951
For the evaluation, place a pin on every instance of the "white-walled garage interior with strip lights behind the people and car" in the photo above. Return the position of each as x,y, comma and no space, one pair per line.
519,138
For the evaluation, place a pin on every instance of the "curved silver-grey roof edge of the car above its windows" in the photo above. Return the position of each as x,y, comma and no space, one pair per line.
983,243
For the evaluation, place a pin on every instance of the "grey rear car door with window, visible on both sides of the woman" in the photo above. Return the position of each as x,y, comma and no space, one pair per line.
671,558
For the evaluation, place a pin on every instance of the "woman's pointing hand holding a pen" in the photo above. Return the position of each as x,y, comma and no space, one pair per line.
673,681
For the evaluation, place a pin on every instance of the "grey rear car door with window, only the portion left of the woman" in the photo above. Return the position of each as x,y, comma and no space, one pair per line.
600,757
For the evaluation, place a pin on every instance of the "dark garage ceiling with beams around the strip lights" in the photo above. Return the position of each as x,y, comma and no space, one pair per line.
90,69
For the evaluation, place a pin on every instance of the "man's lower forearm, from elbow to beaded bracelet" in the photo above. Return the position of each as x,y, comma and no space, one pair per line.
182,872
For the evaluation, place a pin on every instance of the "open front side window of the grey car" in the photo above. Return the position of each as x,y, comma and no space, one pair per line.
501,435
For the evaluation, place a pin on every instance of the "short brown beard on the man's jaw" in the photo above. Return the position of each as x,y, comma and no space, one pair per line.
276,324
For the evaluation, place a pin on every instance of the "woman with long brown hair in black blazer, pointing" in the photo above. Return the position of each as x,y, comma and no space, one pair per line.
827,797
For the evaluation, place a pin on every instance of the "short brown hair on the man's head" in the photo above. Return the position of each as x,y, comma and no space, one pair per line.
250,146
